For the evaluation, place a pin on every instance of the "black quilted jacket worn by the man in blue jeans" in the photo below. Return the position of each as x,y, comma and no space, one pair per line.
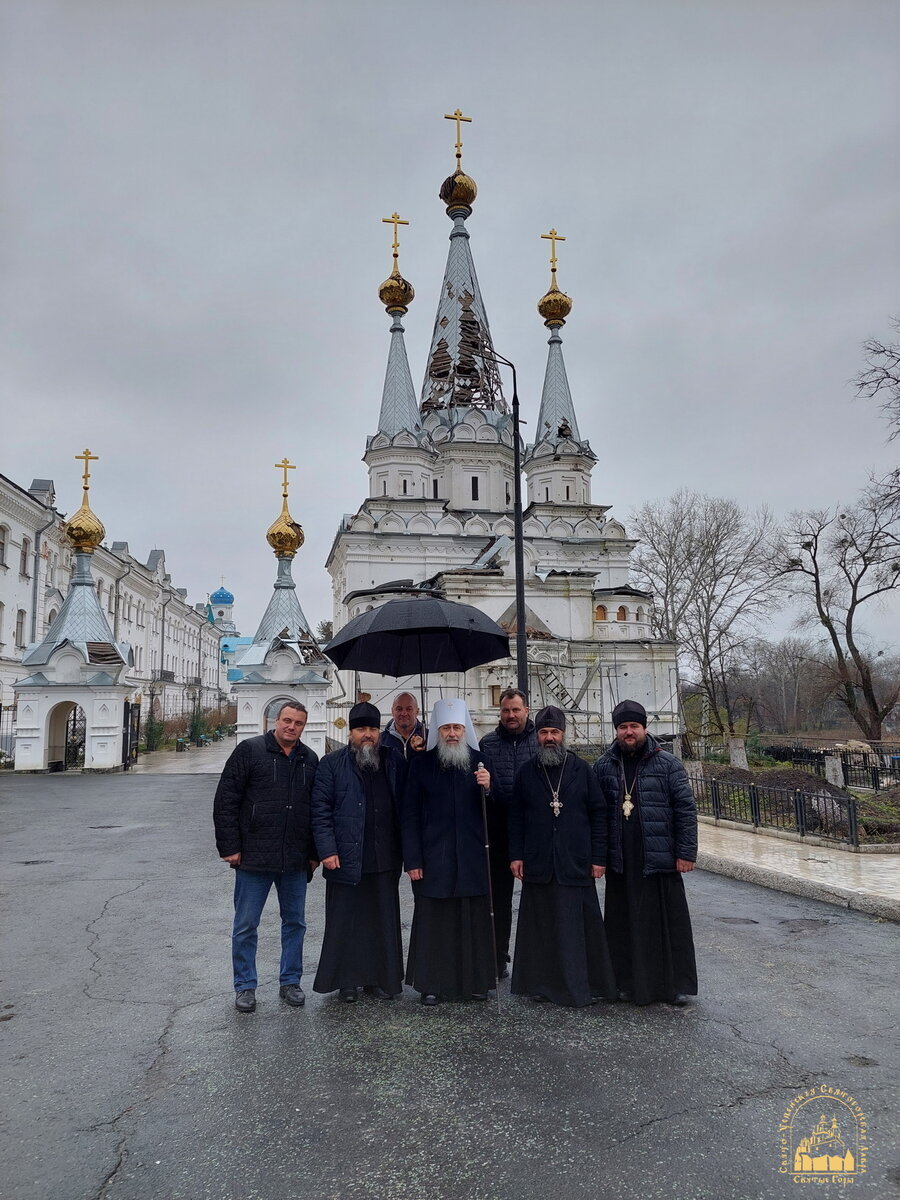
262,806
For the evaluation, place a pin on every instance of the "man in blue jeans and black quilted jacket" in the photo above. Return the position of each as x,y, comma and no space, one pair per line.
262,818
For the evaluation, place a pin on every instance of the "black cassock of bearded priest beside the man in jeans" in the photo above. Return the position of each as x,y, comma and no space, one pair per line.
362,947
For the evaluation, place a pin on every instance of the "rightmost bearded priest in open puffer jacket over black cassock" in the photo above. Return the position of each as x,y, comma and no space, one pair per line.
653,843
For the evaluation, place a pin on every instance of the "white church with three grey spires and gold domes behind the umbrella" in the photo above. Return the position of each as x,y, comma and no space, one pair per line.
440,515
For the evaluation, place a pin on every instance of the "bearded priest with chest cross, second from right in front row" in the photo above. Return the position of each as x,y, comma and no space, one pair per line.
557,838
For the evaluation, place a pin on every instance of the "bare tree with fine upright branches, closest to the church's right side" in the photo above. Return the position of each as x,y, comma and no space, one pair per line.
709,563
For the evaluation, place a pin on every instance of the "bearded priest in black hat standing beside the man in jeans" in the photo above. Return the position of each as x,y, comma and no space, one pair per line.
356,819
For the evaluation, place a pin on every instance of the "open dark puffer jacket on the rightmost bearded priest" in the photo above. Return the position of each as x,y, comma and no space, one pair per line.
664,806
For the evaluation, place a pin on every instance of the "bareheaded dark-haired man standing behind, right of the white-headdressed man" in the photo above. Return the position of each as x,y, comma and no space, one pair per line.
508,748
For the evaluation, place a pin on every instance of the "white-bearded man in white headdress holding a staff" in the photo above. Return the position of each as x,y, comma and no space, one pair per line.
452,951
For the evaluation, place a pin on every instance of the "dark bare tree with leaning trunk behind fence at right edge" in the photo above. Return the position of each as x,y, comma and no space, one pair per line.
837,563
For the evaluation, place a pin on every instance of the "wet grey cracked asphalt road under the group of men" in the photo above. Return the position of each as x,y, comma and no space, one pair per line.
128,1075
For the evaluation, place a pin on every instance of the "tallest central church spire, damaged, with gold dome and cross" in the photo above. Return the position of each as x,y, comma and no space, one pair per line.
460,371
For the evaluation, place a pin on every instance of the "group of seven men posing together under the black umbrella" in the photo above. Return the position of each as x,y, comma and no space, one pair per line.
465,819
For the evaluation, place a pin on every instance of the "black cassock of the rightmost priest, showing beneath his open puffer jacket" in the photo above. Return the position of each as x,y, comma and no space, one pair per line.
647,921
